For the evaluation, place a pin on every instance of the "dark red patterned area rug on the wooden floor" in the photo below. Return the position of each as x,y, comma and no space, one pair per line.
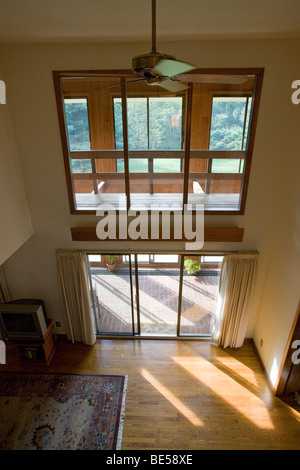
61,412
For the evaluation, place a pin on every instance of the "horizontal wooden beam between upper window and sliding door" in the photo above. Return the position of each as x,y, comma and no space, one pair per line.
211,234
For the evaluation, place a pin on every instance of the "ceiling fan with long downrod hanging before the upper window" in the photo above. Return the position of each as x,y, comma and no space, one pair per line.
165,71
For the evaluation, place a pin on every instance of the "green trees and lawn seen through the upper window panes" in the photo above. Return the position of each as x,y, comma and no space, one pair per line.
156,123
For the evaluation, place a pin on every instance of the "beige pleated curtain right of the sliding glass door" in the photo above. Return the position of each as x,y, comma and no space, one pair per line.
235,289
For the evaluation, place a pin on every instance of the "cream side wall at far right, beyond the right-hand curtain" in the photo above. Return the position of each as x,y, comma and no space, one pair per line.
281,293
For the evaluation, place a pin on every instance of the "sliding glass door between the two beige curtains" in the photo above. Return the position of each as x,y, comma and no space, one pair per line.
163,295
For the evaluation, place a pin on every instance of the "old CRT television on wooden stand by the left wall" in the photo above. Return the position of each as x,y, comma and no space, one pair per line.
23,319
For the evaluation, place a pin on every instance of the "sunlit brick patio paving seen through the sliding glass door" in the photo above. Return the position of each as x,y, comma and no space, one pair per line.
158,297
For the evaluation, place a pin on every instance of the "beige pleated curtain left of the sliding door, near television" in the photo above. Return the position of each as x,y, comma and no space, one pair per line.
73,272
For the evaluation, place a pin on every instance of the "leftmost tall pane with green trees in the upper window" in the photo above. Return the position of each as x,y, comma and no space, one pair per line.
77,123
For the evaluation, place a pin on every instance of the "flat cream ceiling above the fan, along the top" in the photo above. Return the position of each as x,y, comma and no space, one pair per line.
130,20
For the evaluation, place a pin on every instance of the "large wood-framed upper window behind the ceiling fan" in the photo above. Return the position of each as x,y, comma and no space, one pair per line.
128,144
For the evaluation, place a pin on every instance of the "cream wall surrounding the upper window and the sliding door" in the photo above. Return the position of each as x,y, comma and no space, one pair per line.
271,219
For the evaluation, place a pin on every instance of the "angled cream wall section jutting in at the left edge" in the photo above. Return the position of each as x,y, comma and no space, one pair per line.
15,221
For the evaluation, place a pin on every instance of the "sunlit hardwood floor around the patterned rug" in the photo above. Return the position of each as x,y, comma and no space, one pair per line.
185,395
